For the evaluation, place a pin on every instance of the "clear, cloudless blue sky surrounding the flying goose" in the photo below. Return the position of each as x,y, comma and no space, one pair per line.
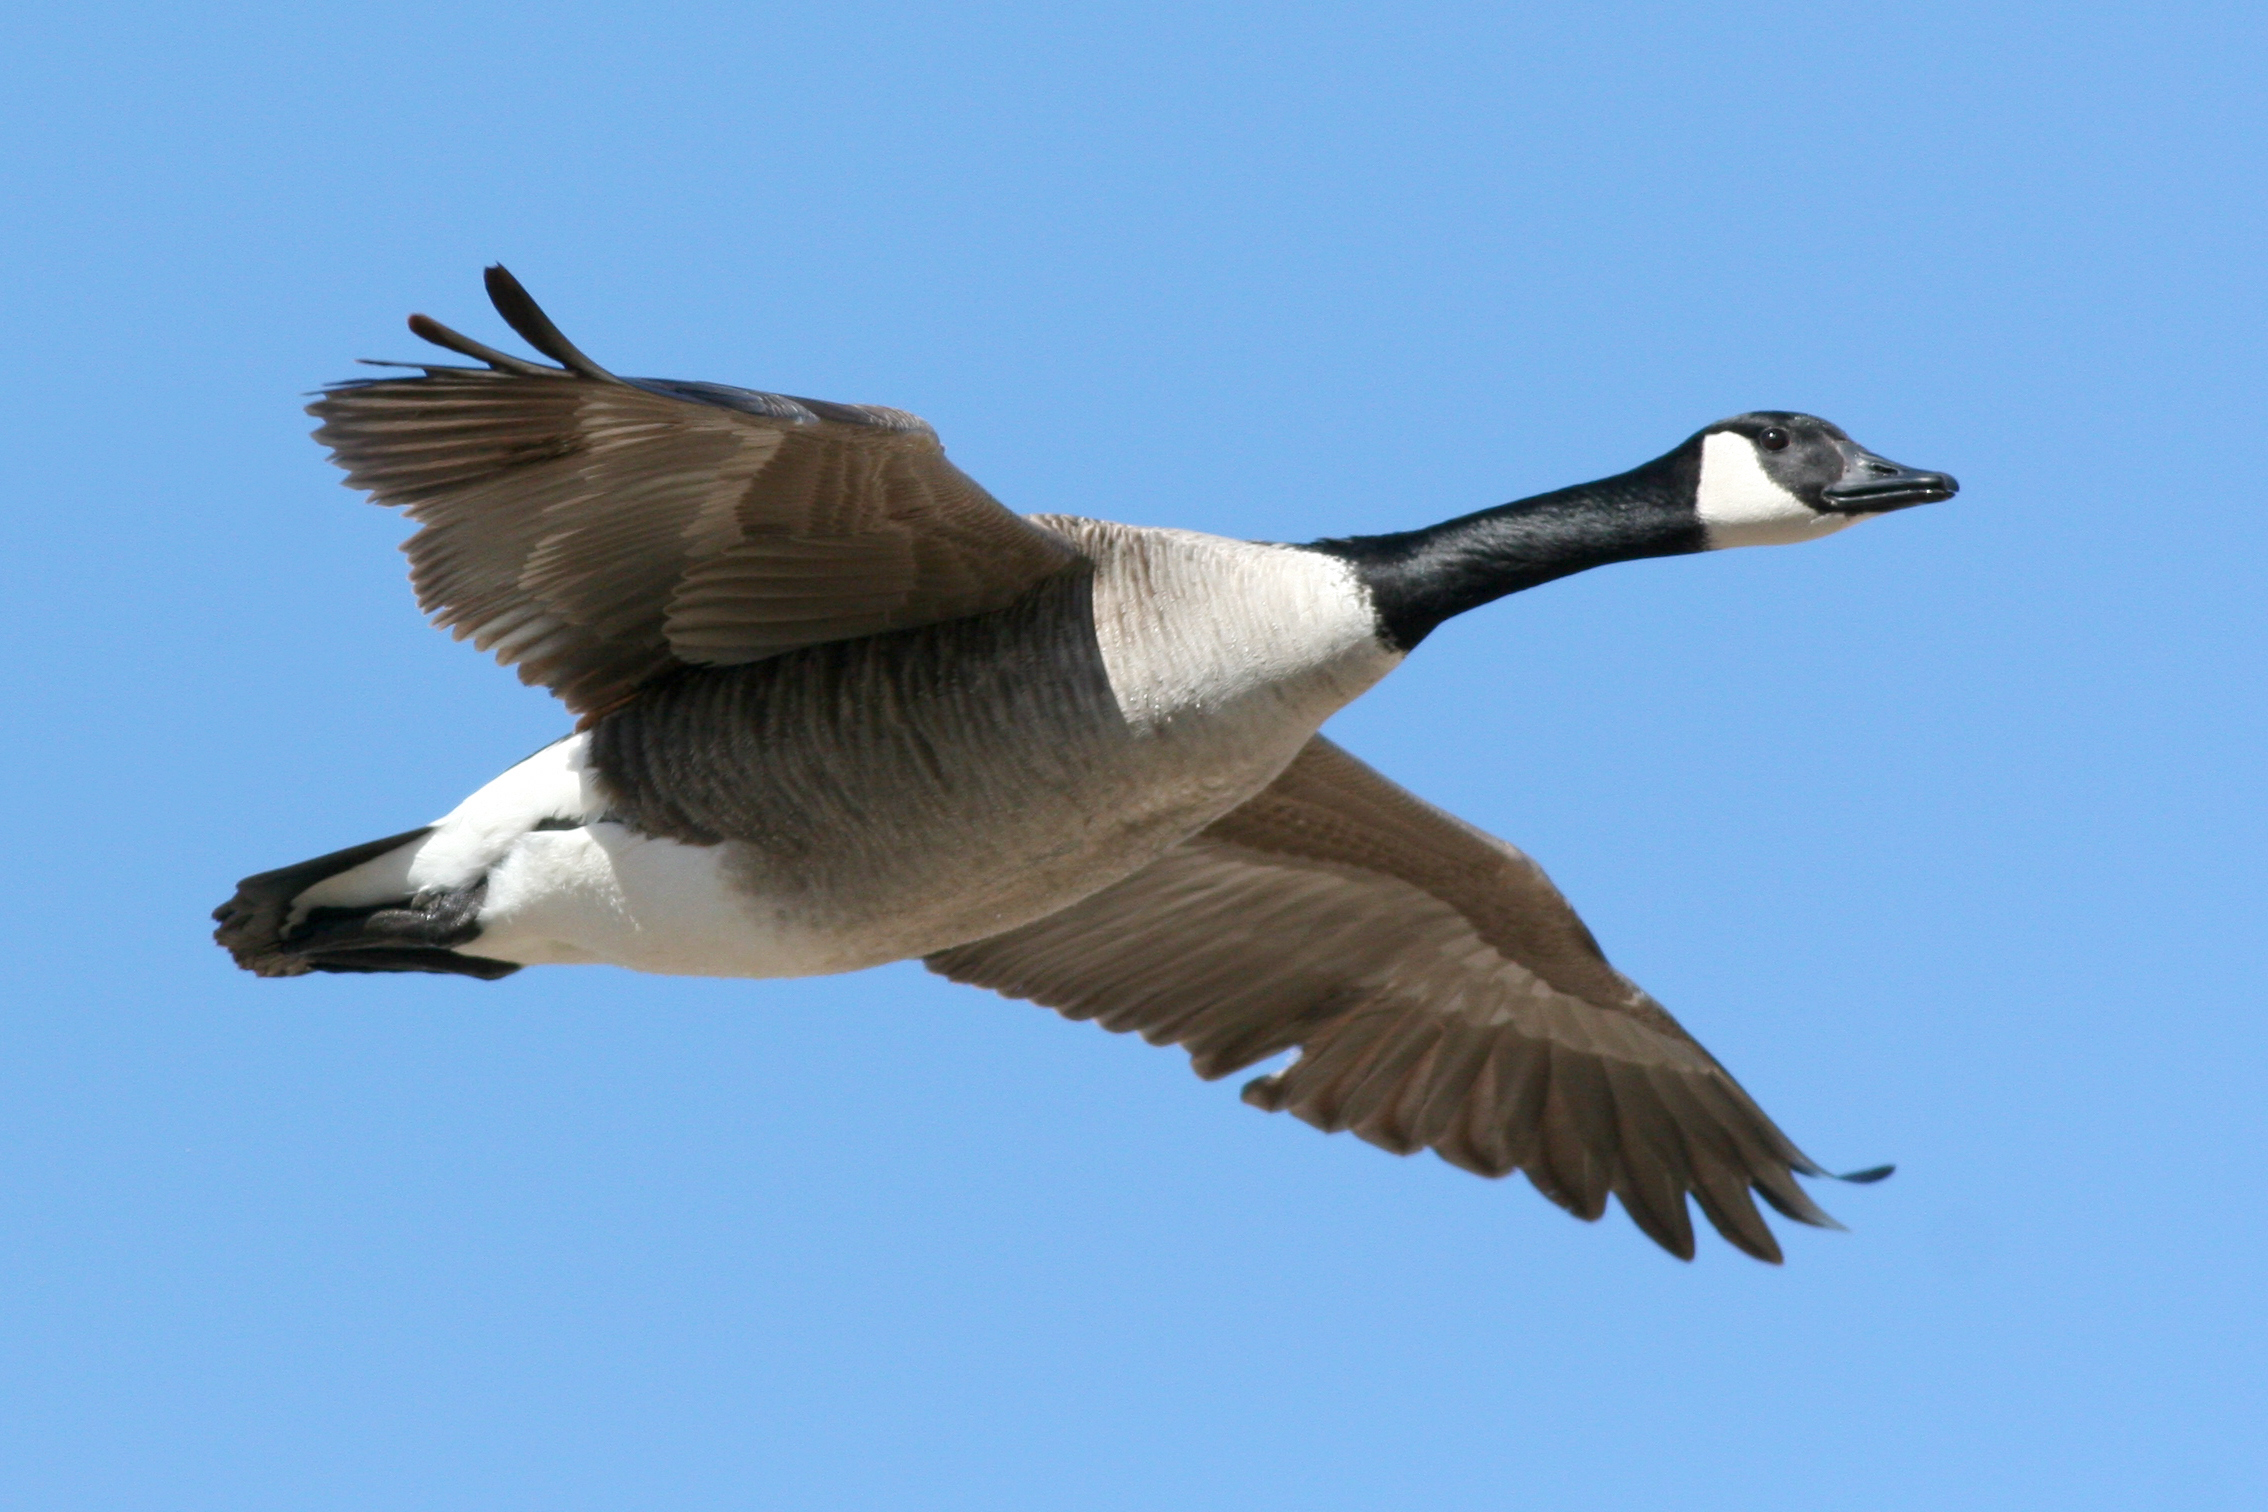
1945,835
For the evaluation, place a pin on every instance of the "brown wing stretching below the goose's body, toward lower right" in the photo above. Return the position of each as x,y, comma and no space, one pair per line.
1439,989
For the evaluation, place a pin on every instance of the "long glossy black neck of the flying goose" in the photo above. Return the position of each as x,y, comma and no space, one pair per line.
1419,579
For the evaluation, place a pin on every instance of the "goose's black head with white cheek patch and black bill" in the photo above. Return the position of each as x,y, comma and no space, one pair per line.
1777,477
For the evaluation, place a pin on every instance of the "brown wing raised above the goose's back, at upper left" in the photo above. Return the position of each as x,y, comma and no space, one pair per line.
600,529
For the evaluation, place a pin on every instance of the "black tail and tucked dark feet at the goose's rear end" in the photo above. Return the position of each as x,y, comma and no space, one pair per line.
273,935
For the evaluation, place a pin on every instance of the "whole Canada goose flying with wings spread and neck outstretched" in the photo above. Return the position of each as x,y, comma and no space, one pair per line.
838,706
